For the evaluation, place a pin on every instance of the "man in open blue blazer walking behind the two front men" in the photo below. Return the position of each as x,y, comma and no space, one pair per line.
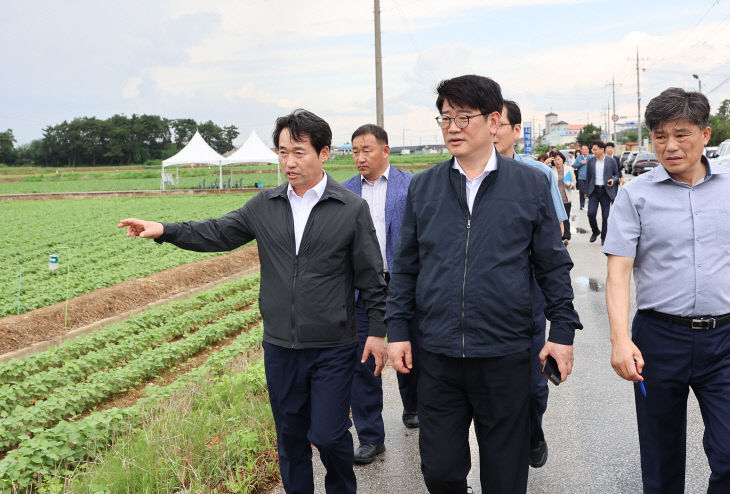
384,188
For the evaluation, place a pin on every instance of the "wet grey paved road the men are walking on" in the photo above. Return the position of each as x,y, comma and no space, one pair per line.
590,424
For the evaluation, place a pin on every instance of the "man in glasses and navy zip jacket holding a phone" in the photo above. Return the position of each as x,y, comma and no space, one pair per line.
472,227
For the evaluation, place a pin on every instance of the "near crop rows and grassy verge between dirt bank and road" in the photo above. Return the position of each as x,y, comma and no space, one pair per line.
172,398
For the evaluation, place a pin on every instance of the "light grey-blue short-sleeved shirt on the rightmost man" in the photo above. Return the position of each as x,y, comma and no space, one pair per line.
679,237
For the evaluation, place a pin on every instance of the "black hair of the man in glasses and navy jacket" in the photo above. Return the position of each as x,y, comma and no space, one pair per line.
472,91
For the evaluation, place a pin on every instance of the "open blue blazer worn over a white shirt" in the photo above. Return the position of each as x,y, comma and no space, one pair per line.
395,203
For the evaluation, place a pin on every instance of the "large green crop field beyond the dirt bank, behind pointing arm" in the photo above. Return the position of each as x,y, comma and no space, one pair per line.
93,252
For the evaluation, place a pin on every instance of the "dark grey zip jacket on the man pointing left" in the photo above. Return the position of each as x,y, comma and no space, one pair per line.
306,300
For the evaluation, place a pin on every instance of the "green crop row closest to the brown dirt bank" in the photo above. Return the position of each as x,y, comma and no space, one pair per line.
15,371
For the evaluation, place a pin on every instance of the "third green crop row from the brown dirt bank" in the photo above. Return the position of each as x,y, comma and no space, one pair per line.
76,398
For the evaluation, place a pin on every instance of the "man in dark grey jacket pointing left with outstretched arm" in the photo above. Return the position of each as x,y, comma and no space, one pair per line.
317,244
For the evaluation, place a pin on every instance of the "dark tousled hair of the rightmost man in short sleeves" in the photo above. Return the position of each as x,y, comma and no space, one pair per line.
677,104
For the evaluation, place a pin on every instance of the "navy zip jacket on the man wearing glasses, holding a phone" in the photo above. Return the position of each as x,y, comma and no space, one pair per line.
468,275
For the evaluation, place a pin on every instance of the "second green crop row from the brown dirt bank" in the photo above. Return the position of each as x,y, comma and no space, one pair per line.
39,385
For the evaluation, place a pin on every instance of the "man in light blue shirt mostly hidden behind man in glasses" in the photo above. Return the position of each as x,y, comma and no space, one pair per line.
510,126
